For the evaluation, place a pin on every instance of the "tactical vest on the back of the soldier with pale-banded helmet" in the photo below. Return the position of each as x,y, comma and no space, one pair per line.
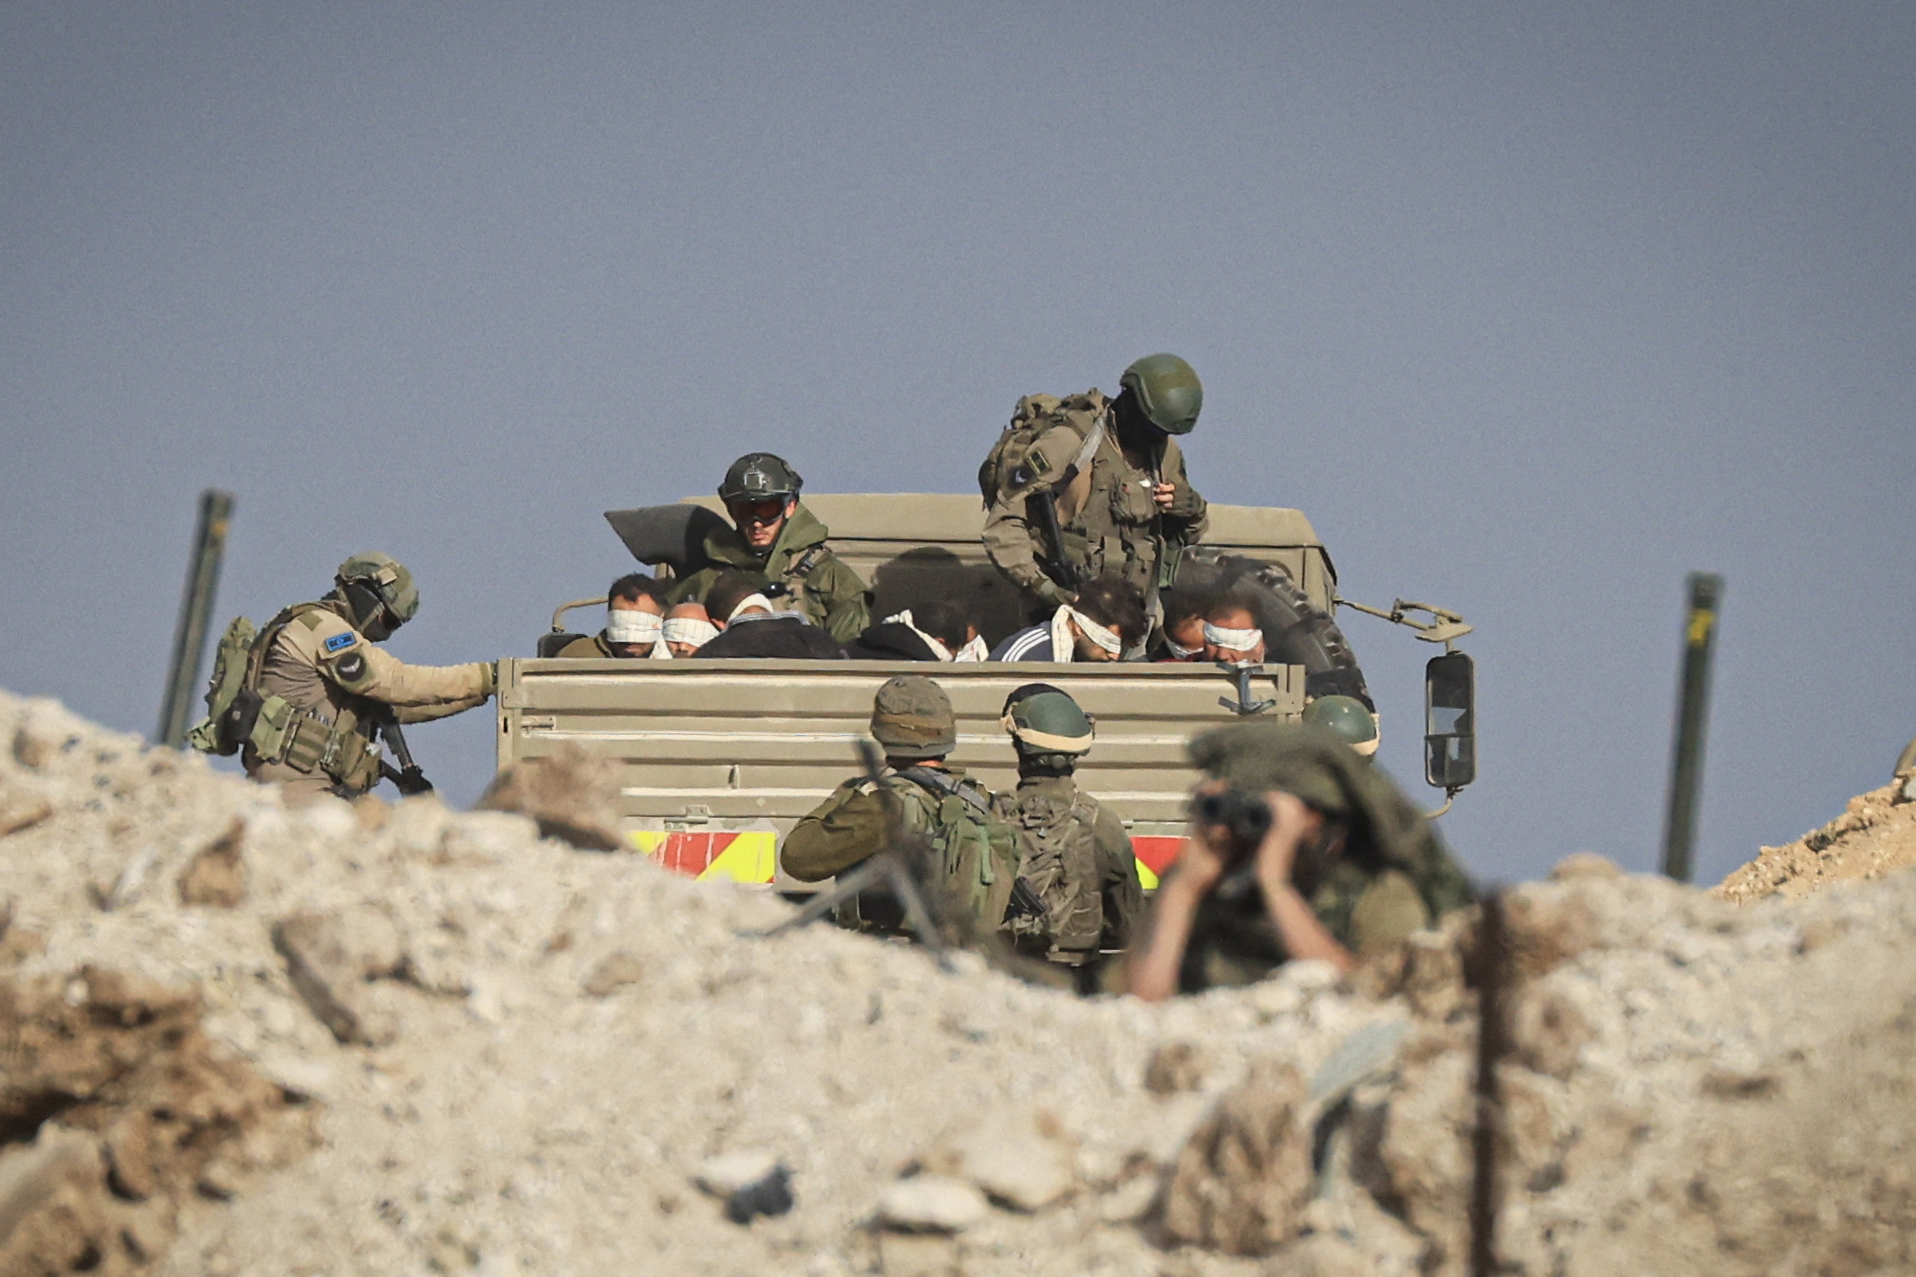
1059,860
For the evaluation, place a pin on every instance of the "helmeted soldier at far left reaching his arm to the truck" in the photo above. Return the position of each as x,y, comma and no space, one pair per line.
321,668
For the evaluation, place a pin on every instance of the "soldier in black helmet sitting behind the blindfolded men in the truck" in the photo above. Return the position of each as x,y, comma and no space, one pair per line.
783,547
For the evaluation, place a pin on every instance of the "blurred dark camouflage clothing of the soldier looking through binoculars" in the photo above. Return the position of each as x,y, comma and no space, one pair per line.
1392,879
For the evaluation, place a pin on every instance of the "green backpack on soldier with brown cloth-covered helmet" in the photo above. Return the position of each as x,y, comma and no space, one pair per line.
974,850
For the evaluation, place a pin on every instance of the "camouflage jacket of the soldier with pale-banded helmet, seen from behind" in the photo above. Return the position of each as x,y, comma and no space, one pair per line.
1078,860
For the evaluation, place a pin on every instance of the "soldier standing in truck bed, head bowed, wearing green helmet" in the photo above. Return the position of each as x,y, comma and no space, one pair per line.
1105,476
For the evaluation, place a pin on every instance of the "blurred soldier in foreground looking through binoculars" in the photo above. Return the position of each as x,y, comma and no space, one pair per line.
1296,850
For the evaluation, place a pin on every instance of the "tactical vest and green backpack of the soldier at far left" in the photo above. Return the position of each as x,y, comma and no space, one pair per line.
271,728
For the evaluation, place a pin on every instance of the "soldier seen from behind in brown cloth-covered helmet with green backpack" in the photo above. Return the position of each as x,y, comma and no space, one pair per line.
921,795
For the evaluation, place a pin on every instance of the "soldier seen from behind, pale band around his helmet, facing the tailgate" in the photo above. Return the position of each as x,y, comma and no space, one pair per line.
1074,852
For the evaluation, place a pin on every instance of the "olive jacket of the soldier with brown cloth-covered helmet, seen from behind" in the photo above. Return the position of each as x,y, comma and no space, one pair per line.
976,854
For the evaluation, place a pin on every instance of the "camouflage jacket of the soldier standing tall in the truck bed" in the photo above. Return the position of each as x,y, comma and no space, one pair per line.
1106,515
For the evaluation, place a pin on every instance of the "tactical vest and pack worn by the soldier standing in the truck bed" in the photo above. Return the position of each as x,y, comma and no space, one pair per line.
1120,528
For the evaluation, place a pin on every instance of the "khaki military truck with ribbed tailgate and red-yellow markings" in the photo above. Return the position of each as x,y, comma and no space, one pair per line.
723,756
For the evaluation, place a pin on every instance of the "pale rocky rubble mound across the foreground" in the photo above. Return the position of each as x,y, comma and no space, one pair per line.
438,1042
